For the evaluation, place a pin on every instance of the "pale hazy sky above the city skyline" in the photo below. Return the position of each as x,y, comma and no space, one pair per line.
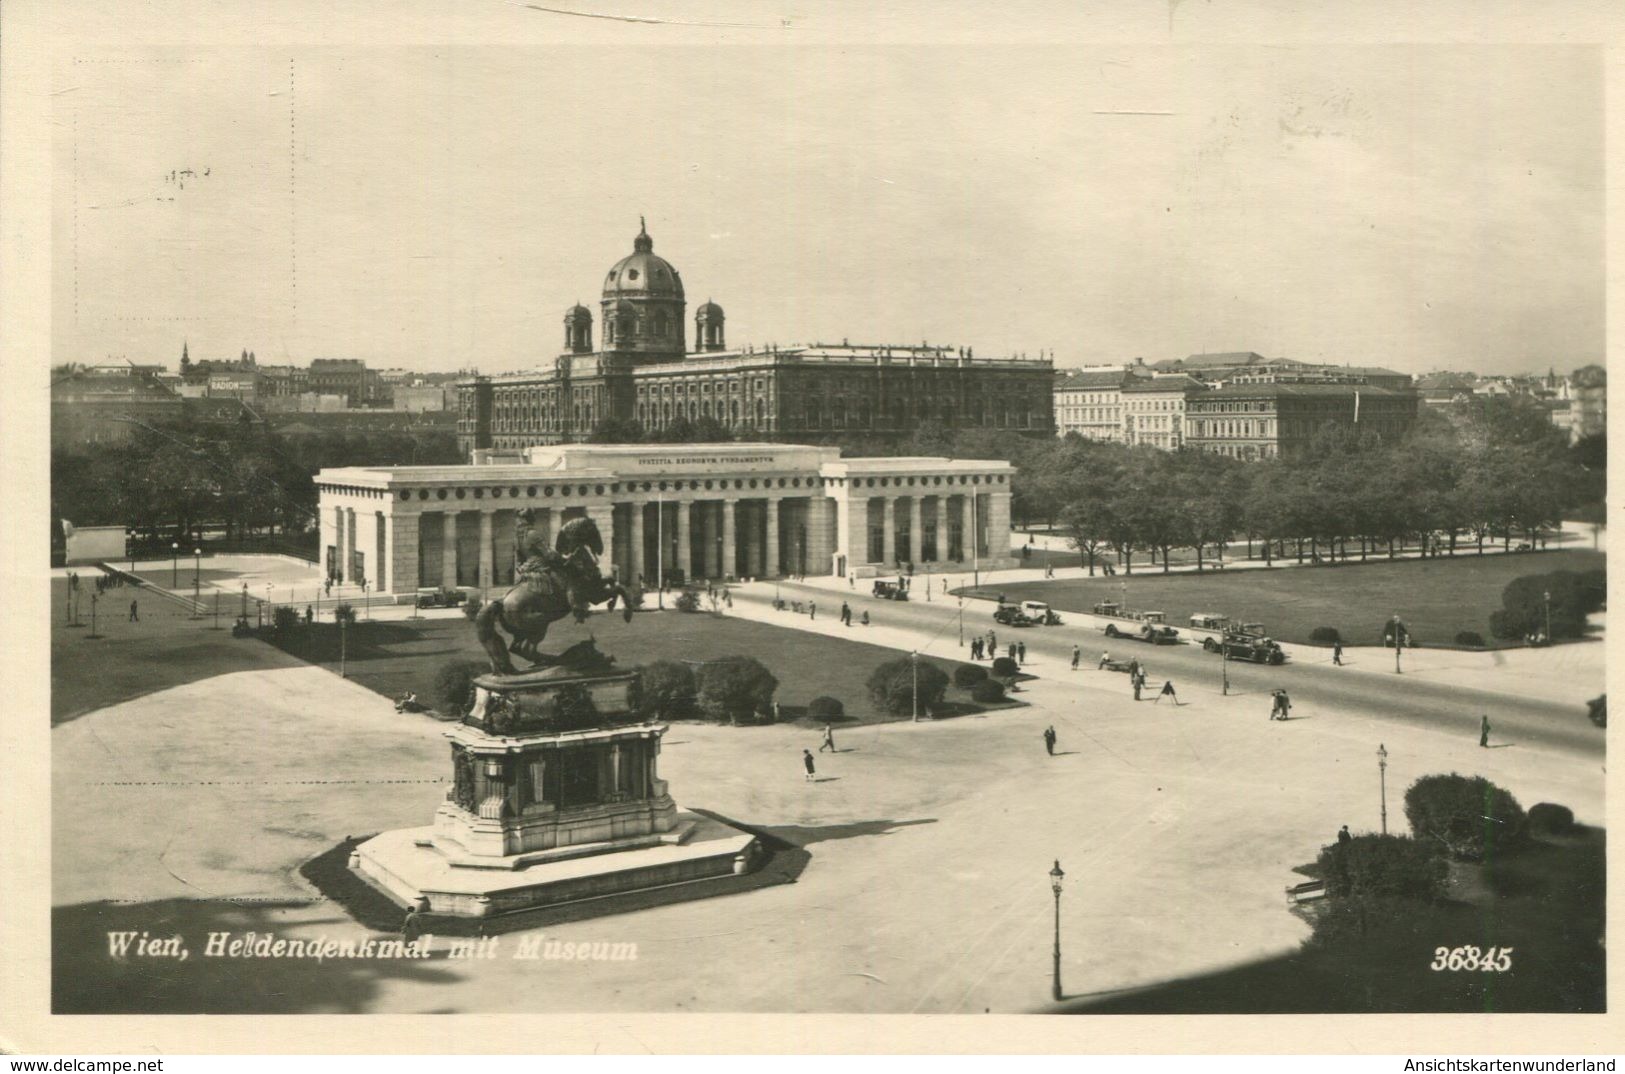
436,209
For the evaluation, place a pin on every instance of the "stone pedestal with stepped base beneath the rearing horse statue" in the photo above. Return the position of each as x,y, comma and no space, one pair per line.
552,800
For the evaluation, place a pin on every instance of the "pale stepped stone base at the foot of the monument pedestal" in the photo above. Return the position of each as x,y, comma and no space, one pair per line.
407,867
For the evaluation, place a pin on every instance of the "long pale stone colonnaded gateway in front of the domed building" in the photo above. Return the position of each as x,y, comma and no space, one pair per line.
667,513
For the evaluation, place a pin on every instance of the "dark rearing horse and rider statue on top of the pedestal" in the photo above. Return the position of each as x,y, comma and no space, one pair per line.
552,584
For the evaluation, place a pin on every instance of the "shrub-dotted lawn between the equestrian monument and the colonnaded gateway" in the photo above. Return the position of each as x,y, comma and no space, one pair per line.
399,656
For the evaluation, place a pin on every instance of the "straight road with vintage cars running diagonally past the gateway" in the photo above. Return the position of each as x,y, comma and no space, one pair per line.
1379,695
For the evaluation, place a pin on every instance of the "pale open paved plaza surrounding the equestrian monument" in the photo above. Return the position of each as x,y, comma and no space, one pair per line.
193,808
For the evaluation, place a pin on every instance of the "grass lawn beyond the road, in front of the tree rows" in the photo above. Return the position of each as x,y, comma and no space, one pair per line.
1436,599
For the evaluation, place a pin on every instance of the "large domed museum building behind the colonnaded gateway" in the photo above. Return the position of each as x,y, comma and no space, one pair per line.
644,373
